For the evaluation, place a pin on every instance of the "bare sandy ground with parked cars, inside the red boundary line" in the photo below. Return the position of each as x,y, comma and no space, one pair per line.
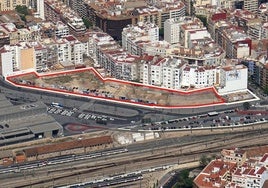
87,81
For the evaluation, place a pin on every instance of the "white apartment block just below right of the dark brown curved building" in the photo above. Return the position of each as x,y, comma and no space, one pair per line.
133,35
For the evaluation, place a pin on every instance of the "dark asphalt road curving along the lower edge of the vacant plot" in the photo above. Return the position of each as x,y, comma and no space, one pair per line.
102,107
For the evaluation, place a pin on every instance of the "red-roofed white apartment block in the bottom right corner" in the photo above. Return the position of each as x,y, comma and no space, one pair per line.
234,169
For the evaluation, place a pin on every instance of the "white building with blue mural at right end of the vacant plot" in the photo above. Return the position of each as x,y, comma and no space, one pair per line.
233,78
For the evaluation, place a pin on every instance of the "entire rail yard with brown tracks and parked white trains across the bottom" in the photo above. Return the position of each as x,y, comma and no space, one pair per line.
143,160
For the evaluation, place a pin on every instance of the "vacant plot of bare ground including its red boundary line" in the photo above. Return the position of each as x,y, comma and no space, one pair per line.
87,82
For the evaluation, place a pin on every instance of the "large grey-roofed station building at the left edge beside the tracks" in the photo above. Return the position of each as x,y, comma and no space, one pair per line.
25,122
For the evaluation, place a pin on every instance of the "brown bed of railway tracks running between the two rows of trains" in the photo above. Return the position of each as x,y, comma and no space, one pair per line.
187,152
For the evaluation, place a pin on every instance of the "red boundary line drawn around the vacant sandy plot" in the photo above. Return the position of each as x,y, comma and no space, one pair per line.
221,99
